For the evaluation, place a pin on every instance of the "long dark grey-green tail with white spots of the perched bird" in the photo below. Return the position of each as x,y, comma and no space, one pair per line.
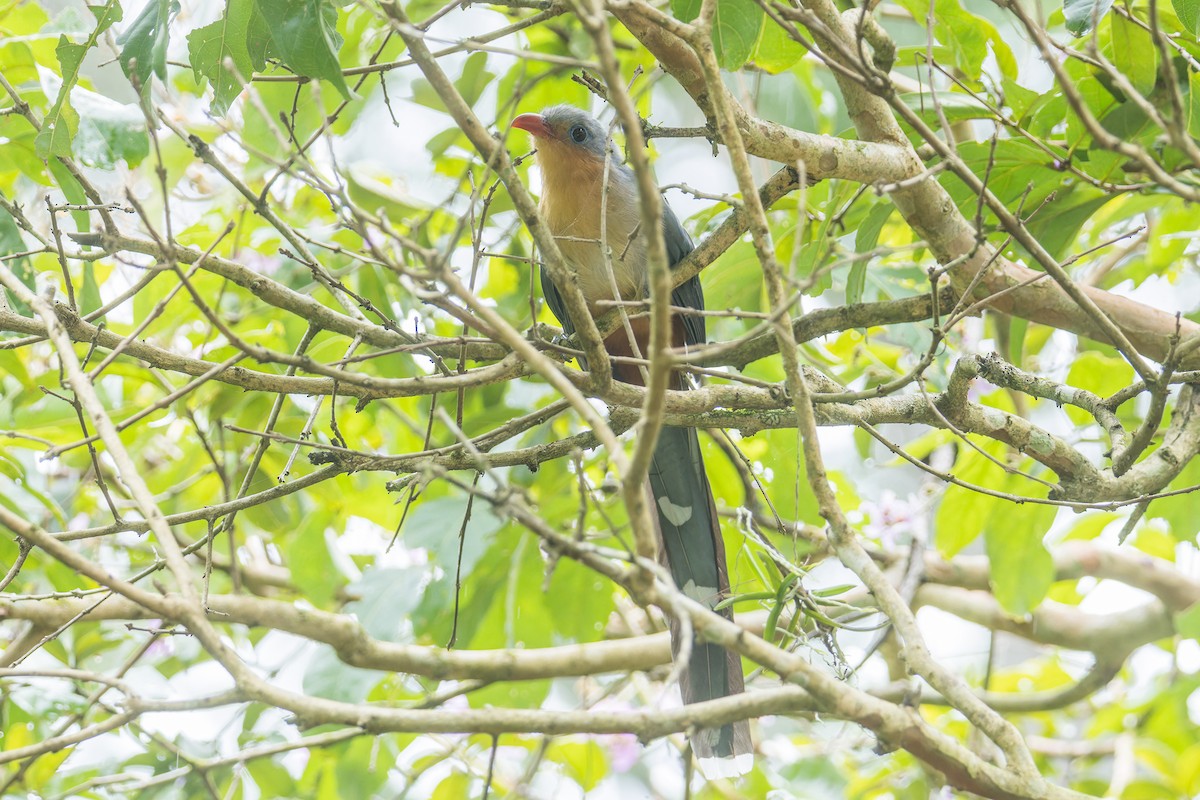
695,555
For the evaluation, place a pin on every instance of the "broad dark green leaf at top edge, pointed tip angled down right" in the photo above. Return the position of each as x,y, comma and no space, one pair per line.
304,37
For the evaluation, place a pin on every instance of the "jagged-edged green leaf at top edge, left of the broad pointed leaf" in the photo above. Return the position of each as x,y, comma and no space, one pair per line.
219,52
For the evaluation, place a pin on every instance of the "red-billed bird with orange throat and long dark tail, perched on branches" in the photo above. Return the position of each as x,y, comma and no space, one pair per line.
572,152
